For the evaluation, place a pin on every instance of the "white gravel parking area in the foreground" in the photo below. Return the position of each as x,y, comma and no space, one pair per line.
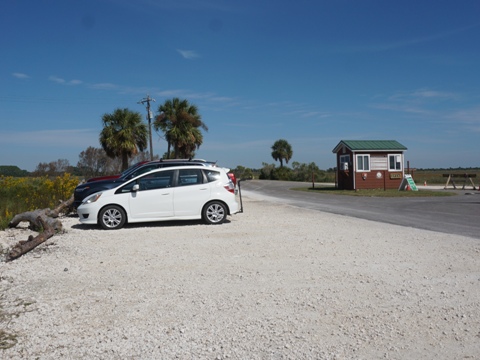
276,282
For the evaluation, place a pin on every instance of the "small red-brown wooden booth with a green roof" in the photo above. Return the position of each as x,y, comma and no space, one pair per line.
369,164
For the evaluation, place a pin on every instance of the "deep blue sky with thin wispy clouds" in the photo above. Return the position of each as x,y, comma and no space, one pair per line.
311,72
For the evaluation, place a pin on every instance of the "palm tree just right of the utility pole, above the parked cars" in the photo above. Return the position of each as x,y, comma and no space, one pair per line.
180,122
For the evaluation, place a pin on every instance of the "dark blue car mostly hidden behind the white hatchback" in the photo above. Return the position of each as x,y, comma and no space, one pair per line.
88,188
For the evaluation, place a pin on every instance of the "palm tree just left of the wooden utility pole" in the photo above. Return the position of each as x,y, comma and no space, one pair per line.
123,135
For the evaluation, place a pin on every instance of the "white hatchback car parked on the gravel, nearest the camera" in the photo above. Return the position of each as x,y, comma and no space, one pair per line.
173,193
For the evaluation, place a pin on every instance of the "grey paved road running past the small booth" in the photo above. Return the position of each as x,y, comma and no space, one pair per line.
458,214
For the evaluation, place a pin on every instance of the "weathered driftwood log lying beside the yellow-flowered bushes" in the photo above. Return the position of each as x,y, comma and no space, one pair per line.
44,221
